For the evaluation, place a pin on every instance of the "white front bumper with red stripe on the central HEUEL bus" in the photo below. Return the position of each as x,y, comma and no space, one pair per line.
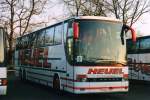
116,87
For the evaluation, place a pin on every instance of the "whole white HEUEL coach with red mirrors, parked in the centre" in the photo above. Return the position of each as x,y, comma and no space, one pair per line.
80,55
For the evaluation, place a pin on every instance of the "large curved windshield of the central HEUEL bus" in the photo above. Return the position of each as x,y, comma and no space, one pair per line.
99,42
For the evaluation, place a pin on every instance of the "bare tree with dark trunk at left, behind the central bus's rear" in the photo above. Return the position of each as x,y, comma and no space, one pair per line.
16,15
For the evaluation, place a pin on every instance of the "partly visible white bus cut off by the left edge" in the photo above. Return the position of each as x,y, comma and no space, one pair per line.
3,69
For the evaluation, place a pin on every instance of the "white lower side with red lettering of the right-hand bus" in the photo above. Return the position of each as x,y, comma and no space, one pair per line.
140,70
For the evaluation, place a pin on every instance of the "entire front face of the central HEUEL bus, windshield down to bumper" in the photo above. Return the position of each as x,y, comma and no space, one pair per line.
98,57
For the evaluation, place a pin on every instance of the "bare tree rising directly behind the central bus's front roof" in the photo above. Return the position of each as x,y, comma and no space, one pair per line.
85,7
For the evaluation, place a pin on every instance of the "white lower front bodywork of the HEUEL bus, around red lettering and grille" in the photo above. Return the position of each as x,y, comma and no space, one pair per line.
95,87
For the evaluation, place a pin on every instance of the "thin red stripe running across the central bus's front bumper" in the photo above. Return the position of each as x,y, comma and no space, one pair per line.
95,88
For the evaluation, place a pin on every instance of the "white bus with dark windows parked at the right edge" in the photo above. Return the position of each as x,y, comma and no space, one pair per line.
139,58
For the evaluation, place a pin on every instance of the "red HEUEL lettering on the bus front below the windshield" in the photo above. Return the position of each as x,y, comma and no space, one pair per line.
105,71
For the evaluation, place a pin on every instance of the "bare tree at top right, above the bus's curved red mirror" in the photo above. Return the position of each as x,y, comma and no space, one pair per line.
128,10
